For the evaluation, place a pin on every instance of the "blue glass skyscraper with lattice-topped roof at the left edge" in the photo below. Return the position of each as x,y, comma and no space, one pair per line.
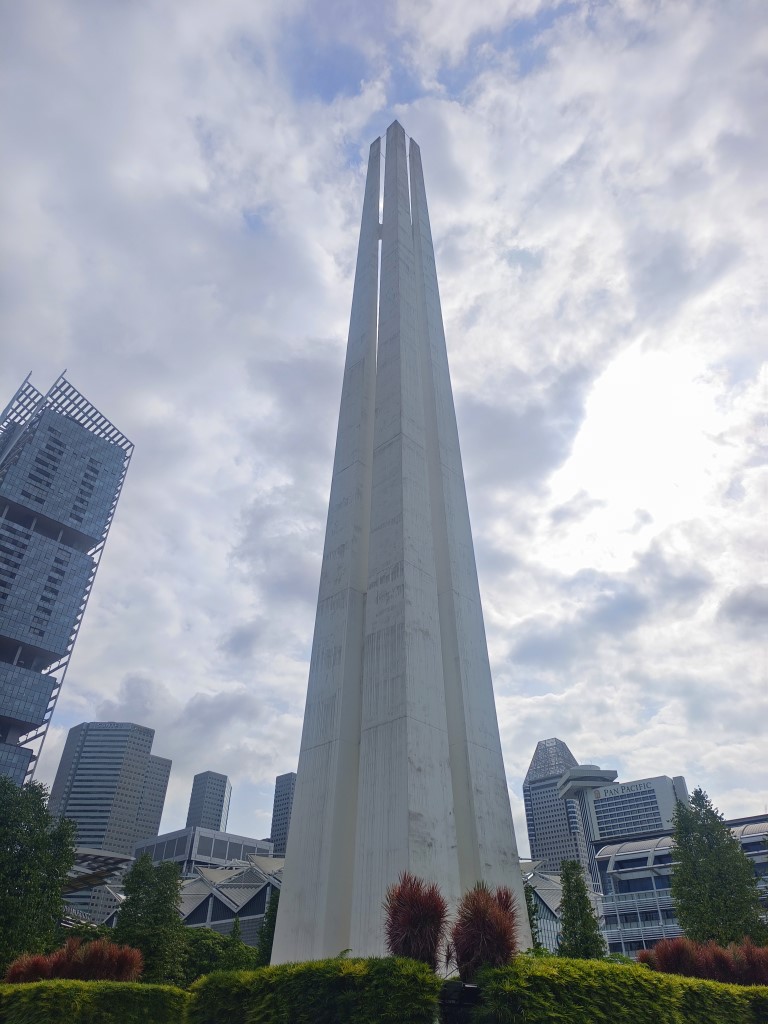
62,468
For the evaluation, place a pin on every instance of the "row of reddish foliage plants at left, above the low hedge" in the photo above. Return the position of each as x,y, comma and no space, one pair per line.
98,961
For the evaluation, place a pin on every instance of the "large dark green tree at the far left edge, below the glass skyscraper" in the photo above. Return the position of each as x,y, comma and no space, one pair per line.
36,855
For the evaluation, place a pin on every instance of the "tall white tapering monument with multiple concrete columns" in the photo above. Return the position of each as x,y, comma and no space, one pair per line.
401,765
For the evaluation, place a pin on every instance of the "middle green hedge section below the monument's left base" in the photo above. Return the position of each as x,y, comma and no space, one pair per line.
336,992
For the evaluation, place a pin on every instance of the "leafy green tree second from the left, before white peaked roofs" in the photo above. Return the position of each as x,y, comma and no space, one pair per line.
149,919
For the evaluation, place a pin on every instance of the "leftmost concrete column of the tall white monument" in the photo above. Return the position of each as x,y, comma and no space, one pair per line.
315,920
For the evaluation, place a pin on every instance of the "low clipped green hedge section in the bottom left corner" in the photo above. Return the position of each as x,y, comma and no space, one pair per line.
92,1003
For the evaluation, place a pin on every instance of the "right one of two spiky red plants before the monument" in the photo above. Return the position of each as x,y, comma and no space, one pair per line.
484,934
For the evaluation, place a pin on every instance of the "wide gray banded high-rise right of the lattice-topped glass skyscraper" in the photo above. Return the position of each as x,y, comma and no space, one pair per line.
111,785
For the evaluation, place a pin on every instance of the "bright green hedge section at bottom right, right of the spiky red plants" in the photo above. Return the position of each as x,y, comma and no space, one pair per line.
562,992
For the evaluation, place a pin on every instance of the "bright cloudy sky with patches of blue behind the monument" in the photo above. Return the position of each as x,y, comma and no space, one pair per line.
183,186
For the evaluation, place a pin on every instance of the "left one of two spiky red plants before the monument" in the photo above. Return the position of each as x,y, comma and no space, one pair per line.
416,920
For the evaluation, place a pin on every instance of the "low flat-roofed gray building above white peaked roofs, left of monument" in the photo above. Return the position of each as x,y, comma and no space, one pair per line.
195,847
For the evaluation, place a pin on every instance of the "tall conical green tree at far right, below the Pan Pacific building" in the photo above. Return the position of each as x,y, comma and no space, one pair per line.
713,882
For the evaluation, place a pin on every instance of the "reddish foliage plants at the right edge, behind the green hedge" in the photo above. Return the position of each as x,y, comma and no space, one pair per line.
743,964
